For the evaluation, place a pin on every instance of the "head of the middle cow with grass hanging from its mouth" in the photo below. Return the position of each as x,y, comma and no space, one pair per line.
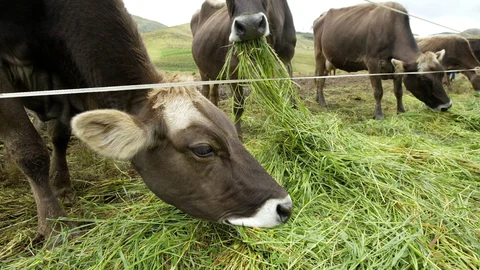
249,19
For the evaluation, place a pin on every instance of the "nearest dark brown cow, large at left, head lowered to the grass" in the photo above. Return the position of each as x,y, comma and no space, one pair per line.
185,149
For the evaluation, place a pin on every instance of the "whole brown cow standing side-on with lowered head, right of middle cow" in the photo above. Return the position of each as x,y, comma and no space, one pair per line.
373,38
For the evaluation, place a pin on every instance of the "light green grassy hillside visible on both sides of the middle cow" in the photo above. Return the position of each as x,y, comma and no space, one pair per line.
170,50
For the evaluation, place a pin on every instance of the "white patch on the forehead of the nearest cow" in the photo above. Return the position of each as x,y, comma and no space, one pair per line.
180,113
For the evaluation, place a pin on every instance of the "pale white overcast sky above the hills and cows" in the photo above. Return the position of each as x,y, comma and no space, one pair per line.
459,15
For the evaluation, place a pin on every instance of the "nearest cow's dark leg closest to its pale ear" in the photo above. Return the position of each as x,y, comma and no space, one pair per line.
59,174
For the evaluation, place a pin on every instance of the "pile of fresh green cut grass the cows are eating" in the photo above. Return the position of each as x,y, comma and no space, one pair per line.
393,194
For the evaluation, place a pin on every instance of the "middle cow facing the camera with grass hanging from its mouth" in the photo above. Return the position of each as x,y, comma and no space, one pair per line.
218,24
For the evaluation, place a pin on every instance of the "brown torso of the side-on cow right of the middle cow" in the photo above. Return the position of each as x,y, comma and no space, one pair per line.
349,37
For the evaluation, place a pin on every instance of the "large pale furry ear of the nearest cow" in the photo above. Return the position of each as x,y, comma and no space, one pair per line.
111,133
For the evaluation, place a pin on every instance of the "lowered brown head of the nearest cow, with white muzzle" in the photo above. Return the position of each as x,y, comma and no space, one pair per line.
188,153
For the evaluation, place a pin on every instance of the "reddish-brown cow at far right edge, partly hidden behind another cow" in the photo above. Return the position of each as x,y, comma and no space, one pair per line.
458,55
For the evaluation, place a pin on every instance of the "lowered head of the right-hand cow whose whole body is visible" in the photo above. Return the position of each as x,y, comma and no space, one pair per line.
426,87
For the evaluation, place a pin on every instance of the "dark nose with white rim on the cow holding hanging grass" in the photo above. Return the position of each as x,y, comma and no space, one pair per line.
252,26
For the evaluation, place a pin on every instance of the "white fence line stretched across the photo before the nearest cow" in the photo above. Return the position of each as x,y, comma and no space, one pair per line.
192,83
